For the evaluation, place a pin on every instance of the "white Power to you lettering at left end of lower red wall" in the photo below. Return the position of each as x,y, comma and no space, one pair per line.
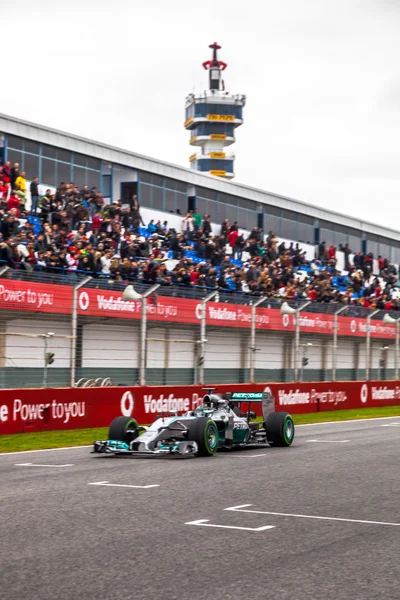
33,412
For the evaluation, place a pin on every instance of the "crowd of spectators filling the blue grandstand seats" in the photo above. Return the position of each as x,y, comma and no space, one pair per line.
75,231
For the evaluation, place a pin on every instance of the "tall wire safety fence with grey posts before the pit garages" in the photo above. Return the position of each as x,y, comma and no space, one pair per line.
58,332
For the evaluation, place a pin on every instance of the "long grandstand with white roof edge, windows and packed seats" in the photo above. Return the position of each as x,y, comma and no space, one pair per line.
119,216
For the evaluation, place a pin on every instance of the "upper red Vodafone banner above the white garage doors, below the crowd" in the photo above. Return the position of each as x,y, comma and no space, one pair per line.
38,297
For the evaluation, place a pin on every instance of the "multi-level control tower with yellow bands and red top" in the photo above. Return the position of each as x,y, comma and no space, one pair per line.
211,118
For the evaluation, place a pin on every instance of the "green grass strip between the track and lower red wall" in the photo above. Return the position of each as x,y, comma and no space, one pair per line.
42,440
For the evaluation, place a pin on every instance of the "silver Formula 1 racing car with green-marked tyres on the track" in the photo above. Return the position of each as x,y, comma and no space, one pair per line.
222,421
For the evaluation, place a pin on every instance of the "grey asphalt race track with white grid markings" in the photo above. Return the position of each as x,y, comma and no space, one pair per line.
62,538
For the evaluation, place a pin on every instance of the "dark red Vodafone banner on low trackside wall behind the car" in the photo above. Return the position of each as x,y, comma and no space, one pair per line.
51,409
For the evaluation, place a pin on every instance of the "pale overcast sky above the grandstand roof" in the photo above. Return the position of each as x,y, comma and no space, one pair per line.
322,80
